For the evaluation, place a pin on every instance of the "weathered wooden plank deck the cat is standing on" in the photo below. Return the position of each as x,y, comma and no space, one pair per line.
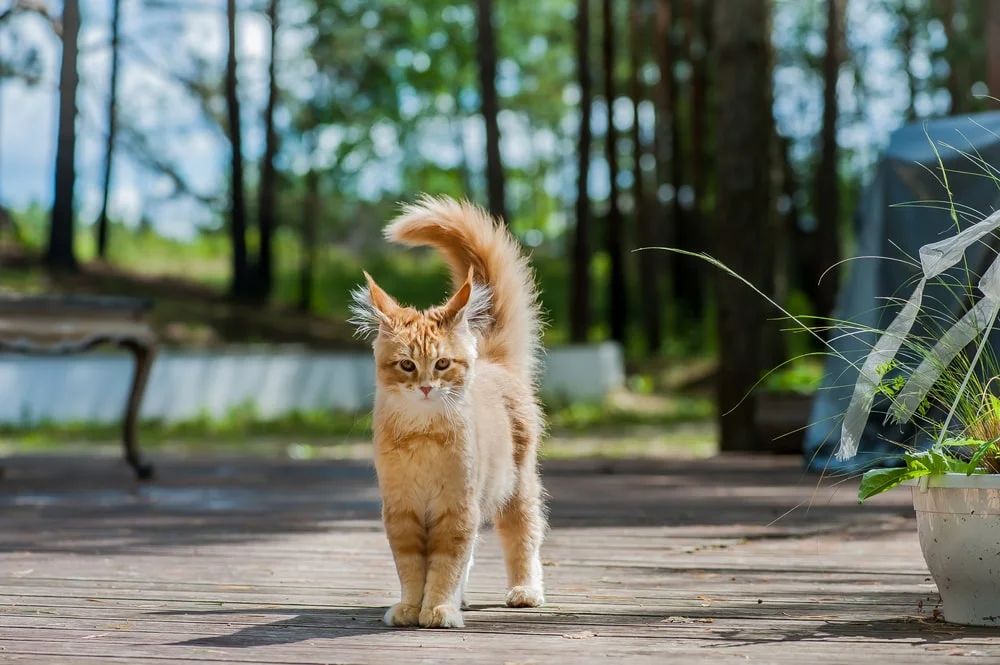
224,560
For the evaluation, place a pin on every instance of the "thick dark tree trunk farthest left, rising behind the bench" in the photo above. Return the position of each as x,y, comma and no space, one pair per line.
60,253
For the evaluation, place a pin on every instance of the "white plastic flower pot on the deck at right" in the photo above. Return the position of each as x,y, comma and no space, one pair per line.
958,521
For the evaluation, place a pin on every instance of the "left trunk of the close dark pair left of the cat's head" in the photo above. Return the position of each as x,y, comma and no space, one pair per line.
240,287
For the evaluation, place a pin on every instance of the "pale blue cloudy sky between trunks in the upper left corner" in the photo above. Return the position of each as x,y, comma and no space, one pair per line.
28,115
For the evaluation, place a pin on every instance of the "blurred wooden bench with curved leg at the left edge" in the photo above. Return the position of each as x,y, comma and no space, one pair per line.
67,324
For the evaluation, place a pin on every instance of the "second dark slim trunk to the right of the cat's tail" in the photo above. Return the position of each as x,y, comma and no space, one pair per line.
615,224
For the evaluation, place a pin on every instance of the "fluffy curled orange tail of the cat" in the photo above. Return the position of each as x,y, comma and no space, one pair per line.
468,236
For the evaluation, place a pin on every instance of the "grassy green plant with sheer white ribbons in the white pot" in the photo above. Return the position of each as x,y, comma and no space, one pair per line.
918,367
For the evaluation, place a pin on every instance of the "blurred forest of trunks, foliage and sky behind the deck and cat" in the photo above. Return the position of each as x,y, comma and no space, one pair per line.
236,160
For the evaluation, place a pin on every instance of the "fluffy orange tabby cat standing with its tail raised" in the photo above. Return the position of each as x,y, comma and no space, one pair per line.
456,418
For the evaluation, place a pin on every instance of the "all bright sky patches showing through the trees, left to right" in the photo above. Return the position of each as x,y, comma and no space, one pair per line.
178,130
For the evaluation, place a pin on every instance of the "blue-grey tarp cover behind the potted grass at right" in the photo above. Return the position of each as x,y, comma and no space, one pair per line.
886,226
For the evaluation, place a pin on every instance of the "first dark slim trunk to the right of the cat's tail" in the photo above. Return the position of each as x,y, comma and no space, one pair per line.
580,301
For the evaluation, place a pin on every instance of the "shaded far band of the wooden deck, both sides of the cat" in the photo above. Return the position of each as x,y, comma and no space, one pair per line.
90,505
